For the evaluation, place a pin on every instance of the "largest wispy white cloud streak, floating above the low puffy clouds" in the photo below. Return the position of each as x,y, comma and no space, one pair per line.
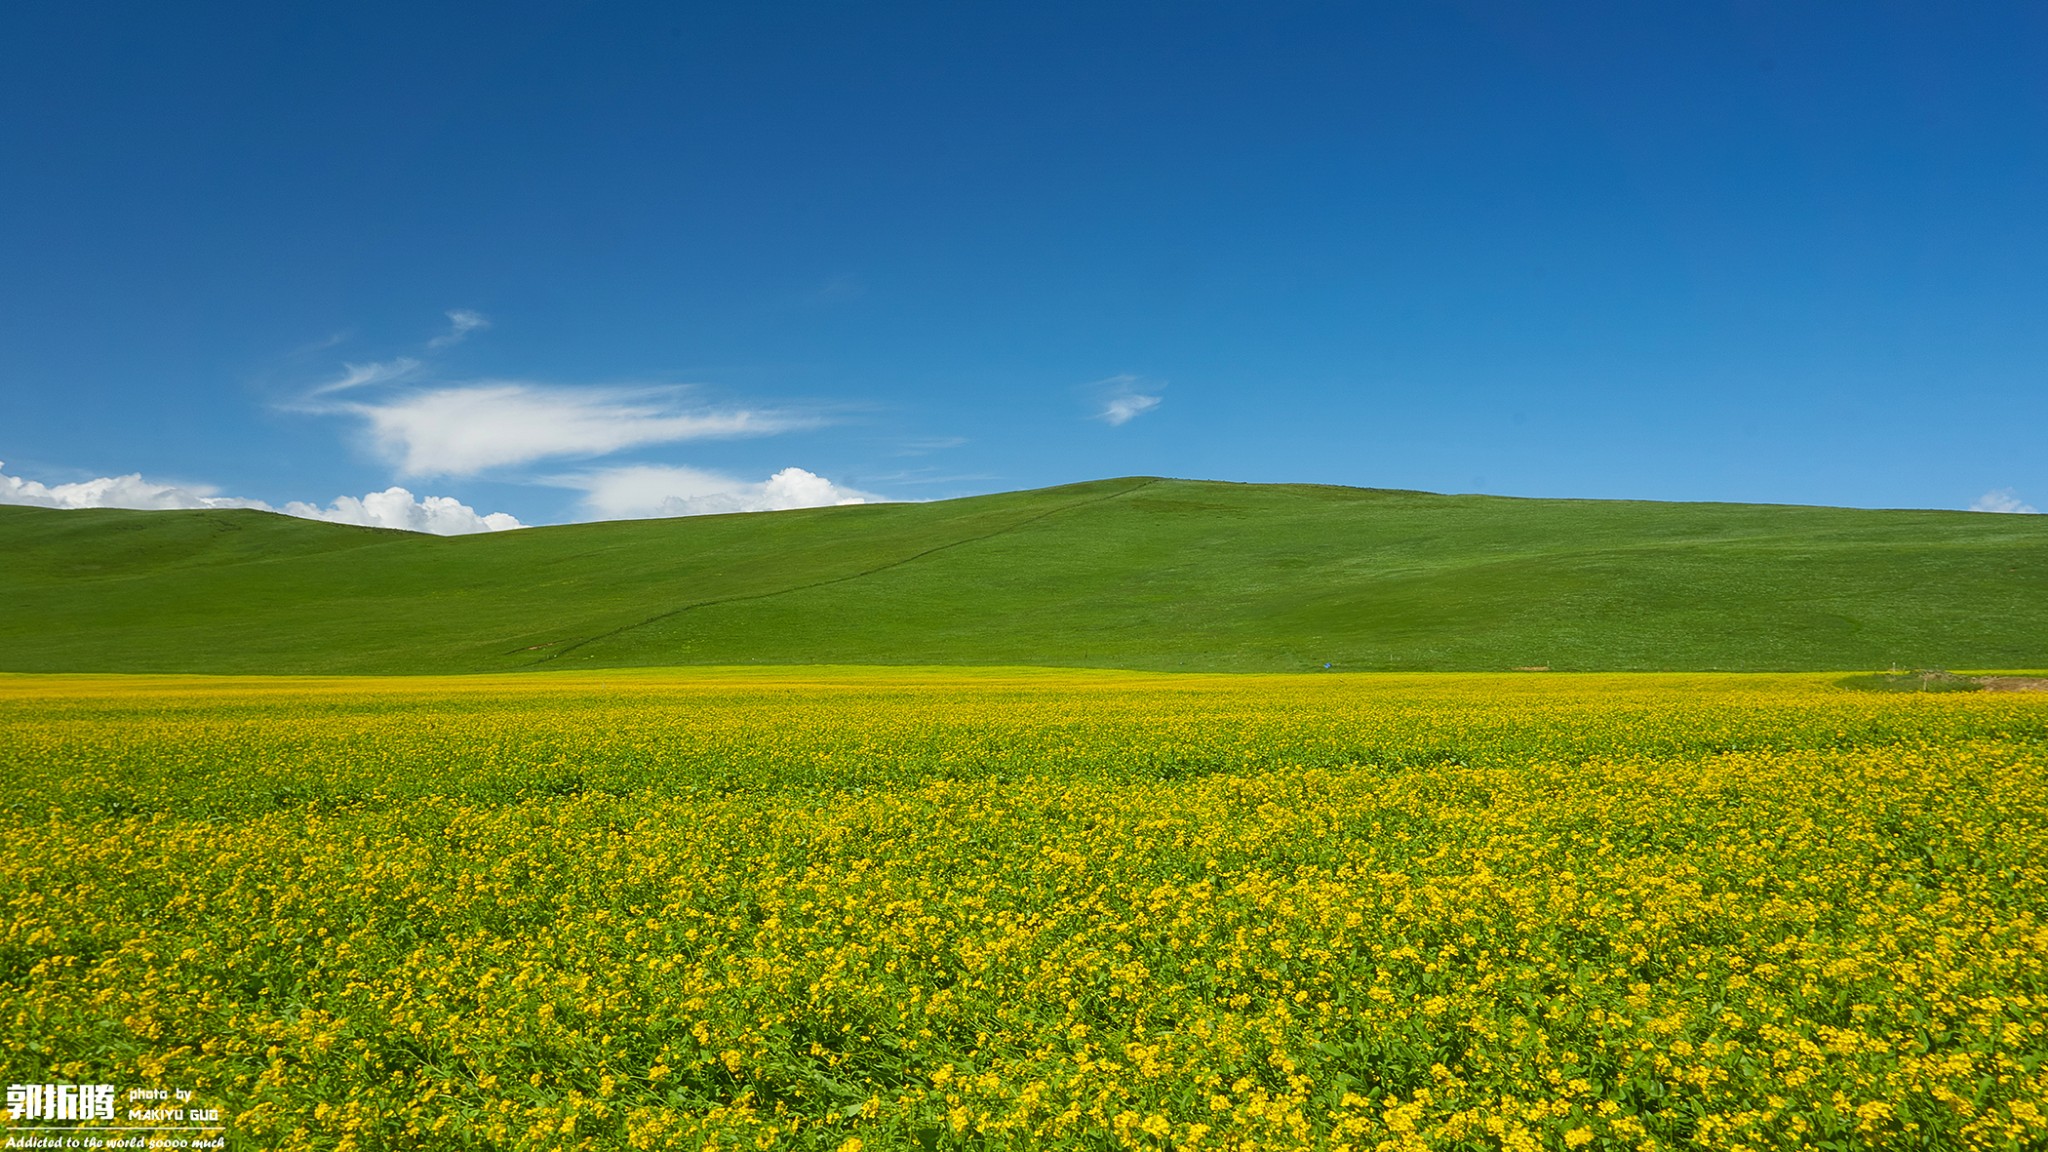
474,427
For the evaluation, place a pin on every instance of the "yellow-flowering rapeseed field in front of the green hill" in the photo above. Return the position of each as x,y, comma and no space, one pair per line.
871,911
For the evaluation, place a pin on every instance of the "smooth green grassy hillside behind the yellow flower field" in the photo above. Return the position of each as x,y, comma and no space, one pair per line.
1119,573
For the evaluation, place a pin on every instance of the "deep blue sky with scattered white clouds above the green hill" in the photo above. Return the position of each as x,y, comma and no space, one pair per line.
570,261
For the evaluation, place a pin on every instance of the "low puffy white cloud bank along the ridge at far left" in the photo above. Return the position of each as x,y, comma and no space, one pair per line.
390,509
